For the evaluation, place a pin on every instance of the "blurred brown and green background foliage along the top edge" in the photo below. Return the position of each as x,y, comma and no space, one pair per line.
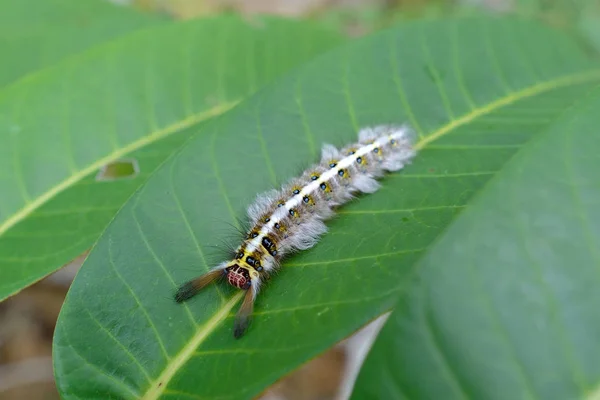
581,17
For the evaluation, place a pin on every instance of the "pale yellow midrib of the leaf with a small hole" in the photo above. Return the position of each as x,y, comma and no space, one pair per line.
187,122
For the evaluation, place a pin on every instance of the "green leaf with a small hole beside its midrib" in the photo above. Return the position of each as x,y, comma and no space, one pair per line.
136,98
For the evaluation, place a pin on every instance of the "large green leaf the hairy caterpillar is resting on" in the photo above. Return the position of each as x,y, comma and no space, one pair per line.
476,90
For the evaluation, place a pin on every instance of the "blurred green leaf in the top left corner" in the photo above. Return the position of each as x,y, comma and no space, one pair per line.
35,34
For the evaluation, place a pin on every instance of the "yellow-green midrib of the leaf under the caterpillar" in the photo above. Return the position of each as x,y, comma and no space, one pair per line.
159,385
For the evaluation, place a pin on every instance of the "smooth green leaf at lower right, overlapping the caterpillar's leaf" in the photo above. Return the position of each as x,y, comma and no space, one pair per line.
505,304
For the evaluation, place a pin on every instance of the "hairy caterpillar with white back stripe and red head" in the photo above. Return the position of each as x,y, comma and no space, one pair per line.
292,218
